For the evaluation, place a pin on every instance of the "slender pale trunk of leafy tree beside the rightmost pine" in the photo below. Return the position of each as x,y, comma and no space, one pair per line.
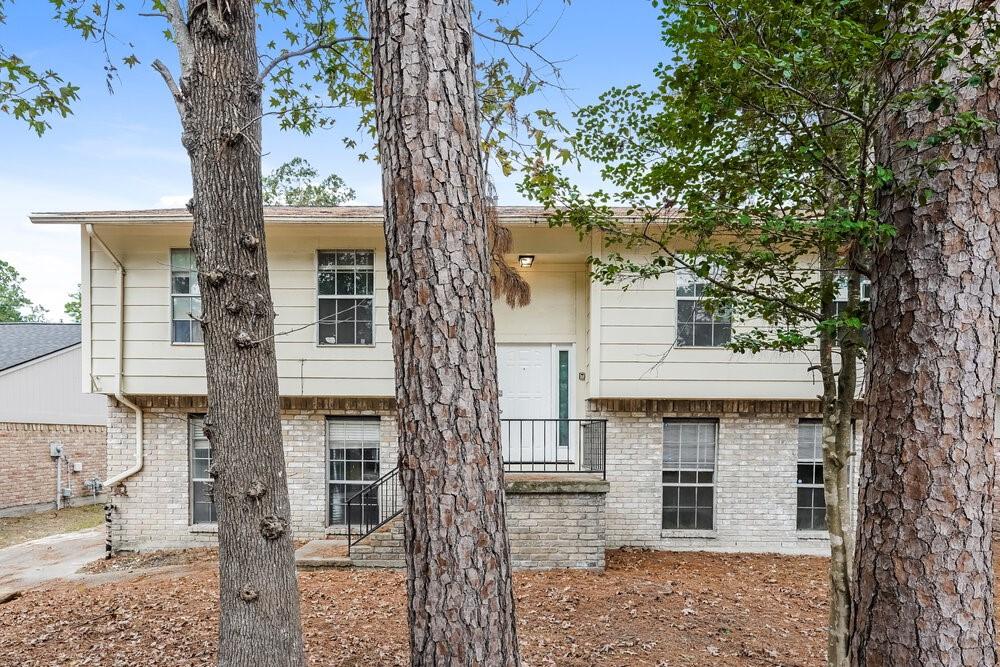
836,478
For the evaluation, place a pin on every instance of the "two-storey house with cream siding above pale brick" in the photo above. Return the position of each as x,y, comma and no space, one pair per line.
704,448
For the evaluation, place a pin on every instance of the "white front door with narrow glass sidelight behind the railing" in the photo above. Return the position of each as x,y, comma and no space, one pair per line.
534,383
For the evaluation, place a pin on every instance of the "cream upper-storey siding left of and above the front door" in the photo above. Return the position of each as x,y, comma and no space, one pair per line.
153,365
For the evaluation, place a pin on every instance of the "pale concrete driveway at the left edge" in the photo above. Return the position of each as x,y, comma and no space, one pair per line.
27,565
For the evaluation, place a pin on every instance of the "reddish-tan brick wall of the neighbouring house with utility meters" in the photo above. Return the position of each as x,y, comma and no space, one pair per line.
28,472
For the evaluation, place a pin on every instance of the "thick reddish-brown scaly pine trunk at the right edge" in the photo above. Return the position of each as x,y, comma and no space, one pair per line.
923,564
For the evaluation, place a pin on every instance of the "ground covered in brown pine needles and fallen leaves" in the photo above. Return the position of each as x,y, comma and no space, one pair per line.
647,608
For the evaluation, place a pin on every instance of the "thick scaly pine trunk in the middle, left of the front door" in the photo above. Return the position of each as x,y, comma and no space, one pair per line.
461,604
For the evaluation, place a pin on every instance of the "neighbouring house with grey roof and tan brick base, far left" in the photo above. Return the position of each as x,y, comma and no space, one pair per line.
53,436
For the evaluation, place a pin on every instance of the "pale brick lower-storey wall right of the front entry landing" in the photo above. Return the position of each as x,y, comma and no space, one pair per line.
755,475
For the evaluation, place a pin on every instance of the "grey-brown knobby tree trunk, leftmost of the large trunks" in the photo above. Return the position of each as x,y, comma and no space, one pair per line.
259,603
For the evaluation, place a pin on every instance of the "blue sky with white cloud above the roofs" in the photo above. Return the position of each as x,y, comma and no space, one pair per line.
122,150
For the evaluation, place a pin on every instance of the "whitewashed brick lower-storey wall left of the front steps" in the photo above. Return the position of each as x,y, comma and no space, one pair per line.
155,512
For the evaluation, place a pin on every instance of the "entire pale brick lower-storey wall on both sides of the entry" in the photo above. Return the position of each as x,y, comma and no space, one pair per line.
755,490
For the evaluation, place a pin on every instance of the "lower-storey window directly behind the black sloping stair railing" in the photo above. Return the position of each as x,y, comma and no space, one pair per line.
352,445
